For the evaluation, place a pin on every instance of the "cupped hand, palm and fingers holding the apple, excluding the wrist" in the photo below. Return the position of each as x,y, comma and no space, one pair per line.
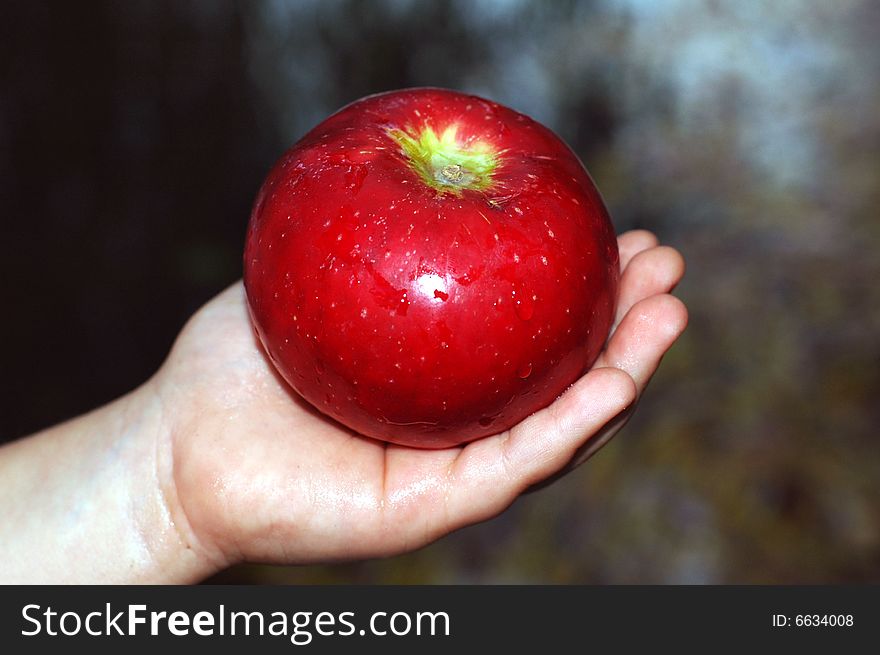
260,475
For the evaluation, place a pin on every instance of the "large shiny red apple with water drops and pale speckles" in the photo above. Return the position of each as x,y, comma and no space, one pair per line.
428,317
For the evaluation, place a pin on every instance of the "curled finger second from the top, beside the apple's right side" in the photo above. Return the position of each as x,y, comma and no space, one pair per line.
650,272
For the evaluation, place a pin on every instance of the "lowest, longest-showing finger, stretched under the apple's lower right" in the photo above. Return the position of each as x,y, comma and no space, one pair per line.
490,473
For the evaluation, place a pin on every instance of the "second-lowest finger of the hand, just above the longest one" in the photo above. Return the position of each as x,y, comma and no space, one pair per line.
643,337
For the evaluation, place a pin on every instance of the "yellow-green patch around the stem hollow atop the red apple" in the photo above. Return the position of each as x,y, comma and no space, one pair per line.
443,163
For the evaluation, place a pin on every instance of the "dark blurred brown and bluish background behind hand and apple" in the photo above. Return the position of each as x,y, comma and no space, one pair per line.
134,136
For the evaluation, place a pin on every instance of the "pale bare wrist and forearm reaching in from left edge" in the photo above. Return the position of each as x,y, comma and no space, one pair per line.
98,505
